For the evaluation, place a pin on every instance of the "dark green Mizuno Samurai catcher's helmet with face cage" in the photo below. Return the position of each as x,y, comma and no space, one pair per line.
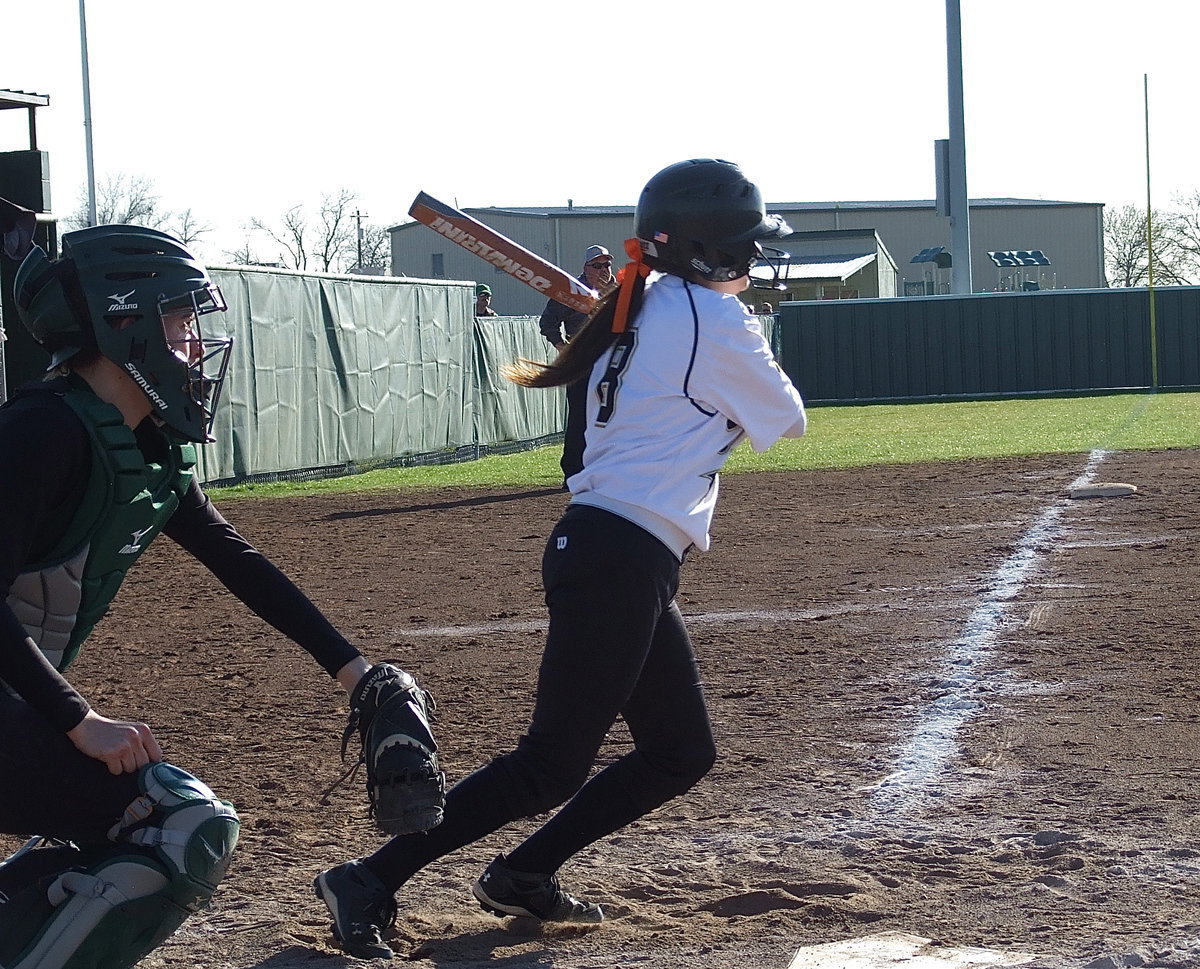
136,297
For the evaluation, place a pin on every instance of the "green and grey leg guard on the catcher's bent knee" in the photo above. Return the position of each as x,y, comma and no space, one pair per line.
105,907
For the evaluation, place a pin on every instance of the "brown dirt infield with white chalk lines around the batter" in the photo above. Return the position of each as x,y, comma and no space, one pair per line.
950,700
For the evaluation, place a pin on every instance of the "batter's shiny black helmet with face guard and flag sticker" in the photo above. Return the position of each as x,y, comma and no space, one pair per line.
705,218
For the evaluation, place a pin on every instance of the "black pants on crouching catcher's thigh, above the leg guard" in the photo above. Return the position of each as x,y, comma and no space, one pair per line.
49,789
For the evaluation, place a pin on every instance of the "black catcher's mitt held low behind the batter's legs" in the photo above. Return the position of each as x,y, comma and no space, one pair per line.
405,785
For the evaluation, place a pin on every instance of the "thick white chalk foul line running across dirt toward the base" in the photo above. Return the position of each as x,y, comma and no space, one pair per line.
923,757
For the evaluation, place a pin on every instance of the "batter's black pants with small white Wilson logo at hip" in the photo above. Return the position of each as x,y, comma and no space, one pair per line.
616,647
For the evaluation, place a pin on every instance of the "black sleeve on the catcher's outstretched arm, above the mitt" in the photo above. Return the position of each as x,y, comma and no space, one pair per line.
247,573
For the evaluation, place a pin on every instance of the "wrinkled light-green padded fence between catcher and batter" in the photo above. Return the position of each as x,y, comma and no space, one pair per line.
332,375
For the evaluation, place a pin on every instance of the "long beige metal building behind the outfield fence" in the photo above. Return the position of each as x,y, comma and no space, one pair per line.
1070,234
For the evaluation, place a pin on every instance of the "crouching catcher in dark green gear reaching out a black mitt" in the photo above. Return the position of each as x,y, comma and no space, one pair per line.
95,462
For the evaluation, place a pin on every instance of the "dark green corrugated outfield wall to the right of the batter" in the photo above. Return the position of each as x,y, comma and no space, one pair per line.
989,345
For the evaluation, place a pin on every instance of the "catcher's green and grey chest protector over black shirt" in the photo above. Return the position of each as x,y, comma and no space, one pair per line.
127,504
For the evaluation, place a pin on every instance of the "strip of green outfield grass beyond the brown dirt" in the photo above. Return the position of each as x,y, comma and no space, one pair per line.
854,437
